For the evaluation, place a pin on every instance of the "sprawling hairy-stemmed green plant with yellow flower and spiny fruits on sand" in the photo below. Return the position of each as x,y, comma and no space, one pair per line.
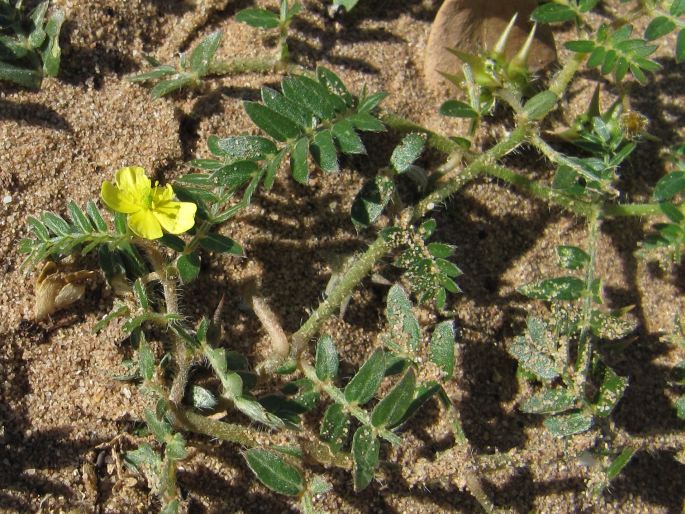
150,239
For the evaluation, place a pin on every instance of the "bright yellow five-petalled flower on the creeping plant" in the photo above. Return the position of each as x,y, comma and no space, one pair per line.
149,208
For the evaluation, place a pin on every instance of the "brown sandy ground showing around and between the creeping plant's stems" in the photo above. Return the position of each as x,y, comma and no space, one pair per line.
61,412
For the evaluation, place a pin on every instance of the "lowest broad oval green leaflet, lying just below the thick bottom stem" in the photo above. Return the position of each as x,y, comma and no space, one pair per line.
274,472
